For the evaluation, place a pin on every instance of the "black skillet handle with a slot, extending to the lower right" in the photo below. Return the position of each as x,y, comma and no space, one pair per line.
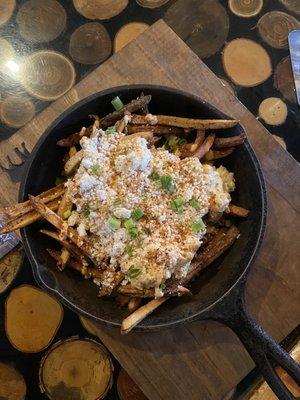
261,347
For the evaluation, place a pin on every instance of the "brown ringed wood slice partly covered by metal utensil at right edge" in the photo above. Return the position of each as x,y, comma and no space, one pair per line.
274,28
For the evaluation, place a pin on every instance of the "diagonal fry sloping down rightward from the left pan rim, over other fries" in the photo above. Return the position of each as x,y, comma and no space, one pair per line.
62,226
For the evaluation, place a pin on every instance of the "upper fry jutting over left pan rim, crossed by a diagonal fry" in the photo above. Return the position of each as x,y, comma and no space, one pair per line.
22,208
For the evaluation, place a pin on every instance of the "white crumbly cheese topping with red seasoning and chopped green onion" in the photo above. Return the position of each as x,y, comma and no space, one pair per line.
117,180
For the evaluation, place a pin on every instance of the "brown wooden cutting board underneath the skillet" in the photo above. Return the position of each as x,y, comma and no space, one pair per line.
201,360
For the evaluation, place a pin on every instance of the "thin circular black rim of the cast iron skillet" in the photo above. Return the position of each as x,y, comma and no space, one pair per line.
143,328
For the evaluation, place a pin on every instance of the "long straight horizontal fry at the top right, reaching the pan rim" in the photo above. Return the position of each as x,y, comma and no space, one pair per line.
181,122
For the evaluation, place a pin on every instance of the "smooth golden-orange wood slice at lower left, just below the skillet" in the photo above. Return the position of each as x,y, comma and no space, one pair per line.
32,318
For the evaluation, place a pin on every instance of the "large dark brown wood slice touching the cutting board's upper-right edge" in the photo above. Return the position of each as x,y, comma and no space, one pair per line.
203,25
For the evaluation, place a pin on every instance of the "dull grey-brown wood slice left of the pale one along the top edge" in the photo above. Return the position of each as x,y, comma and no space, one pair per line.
41,21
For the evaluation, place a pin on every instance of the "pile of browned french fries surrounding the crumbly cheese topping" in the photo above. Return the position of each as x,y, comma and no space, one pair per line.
76,253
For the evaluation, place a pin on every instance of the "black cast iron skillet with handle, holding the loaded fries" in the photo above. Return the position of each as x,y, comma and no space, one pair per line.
219,291
